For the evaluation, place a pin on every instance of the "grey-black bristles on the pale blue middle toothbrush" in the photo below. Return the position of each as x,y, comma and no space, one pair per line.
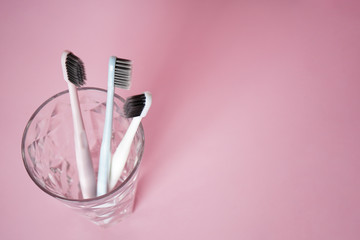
122,73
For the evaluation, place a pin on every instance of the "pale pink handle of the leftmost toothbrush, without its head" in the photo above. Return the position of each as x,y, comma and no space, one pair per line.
83,157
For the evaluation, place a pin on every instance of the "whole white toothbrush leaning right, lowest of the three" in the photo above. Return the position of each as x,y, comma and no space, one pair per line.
135,107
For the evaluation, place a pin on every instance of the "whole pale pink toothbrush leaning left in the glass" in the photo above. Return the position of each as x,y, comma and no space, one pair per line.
74,75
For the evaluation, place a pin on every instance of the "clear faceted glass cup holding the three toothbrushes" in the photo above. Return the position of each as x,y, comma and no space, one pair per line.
49,155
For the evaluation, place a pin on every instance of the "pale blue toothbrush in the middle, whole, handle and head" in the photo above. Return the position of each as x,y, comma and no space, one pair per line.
118,76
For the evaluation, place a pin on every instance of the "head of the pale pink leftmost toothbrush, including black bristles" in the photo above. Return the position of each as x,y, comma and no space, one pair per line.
73,69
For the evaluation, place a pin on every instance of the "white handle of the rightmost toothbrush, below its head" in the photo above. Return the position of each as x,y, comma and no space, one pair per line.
122,152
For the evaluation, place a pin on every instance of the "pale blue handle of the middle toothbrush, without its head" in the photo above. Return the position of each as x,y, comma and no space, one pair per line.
105,150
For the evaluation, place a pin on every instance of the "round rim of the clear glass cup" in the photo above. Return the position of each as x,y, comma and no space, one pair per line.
108,194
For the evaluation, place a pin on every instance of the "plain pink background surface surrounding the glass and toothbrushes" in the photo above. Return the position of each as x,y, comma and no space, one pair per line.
254,130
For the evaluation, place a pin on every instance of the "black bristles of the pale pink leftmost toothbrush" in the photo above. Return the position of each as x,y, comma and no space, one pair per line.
75,70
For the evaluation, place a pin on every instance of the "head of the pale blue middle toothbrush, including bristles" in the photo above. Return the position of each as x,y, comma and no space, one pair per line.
120,71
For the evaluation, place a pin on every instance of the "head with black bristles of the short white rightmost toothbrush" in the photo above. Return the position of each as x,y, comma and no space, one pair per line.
137,105
